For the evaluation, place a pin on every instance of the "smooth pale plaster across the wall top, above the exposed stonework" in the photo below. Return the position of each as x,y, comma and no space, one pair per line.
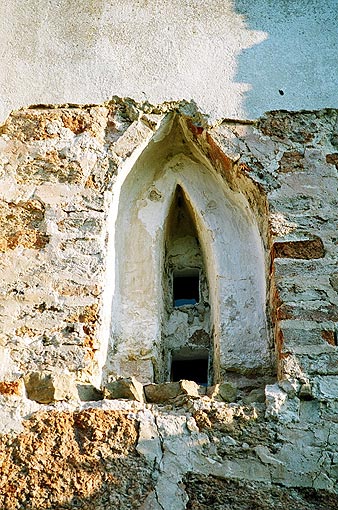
235,58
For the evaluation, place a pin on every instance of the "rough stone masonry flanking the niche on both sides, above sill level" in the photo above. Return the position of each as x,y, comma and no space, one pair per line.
58,172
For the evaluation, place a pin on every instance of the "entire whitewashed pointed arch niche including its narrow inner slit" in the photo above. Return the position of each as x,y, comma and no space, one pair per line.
187,266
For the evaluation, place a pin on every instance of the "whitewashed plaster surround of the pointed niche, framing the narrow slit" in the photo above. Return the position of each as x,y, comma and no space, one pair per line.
232,249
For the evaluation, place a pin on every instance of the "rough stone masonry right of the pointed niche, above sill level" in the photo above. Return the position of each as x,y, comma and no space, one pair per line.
293,156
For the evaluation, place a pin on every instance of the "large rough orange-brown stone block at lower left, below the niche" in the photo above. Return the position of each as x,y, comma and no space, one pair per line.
74,460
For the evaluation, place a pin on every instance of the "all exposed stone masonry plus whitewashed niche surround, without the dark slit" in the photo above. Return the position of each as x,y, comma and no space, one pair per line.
89,416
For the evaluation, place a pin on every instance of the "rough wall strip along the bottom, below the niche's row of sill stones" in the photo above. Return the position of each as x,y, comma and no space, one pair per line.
192,453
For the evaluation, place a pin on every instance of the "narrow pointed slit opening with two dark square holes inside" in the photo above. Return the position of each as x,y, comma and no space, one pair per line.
187,329
